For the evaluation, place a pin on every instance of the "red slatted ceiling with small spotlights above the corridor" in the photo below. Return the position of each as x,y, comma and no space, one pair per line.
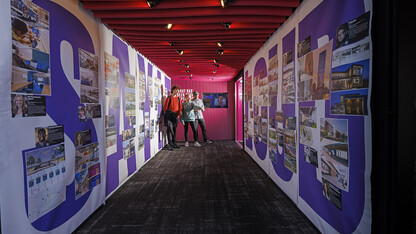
197,29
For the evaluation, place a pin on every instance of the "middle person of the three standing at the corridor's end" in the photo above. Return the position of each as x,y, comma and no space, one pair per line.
188,118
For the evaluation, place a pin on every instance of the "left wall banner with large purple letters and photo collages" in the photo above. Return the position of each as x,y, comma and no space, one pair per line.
76,102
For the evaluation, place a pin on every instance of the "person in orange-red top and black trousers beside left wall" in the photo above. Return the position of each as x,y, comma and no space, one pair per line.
172,109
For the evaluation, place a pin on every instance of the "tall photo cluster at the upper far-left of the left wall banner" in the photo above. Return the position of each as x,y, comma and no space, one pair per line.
31,79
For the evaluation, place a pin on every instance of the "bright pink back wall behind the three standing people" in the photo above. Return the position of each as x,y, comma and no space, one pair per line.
220,122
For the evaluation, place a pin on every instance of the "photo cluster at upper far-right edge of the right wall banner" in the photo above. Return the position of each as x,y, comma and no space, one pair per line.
351,68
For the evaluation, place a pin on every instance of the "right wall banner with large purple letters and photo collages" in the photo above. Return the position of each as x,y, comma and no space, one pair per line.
307,115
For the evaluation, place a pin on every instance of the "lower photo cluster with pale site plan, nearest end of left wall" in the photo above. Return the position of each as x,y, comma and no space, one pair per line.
45,171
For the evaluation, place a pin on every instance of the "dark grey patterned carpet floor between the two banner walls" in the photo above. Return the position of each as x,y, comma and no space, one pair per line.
216,188
